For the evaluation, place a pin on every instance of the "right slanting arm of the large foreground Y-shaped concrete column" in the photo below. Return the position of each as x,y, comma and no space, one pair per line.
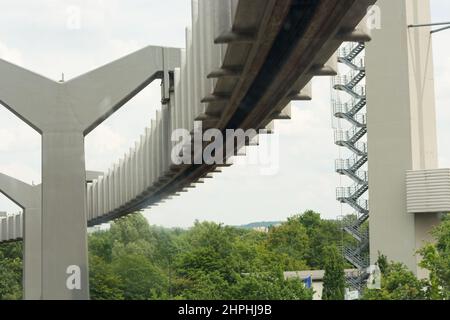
101,92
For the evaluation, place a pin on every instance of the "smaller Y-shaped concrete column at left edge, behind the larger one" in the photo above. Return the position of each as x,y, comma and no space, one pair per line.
29,199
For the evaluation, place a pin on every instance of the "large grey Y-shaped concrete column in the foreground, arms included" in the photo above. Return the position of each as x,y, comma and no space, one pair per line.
64,113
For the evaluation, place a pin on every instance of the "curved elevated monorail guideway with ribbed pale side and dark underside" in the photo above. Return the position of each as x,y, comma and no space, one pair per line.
254,67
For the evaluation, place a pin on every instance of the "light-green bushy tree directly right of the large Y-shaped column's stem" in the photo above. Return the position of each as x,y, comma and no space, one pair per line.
123,264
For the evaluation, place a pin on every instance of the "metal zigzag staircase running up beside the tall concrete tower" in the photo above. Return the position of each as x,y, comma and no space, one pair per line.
349,86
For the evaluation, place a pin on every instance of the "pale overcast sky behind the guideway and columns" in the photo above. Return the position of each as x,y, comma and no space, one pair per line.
55,37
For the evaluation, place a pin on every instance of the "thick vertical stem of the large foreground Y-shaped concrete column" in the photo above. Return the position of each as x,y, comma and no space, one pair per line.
64,234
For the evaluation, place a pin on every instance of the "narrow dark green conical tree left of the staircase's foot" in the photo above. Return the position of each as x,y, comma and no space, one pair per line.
334,278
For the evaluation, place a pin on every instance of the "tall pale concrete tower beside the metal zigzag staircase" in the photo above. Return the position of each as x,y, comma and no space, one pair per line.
401,127
